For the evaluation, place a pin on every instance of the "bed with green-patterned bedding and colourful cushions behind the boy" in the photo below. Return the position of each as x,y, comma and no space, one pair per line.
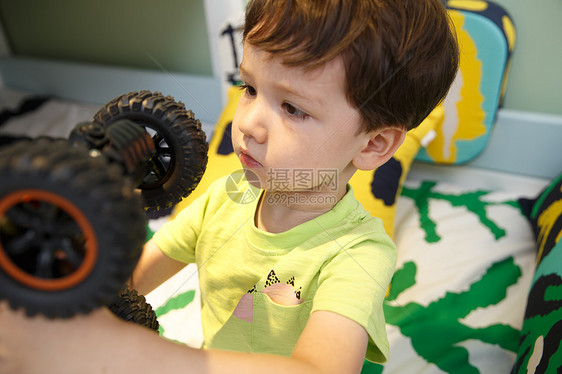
476,220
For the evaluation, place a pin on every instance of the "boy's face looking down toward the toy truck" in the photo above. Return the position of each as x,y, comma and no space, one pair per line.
294,128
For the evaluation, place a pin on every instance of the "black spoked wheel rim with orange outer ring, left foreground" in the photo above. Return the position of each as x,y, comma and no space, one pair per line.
46,242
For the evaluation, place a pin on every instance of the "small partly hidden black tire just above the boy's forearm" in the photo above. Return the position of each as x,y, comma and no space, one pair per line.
132,307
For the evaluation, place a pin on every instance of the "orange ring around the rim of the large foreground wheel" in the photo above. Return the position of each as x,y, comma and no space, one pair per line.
90,247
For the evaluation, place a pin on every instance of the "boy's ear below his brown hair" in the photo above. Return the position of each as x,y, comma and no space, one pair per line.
382,144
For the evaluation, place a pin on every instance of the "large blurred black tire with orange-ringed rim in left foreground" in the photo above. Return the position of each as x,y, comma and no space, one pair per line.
71,228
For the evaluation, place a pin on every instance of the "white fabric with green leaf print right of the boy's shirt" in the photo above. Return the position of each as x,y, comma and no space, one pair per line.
457,299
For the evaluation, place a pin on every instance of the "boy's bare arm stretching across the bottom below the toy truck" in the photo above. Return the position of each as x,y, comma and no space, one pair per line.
99,342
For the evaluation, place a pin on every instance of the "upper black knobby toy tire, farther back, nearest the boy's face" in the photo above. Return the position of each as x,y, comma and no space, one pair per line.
177,136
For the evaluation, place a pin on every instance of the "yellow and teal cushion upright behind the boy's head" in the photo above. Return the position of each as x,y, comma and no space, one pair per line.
486,37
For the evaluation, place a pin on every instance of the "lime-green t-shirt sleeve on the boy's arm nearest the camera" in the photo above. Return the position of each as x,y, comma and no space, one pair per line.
354,284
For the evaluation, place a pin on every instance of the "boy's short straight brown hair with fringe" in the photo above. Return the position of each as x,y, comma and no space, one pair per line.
400,57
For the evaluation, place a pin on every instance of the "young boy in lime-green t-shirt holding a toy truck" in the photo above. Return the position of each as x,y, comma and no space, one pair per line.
295,278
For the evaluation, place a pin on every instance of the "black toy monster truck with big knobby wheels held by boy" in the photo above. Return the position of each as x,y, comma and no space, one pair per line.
72,223
